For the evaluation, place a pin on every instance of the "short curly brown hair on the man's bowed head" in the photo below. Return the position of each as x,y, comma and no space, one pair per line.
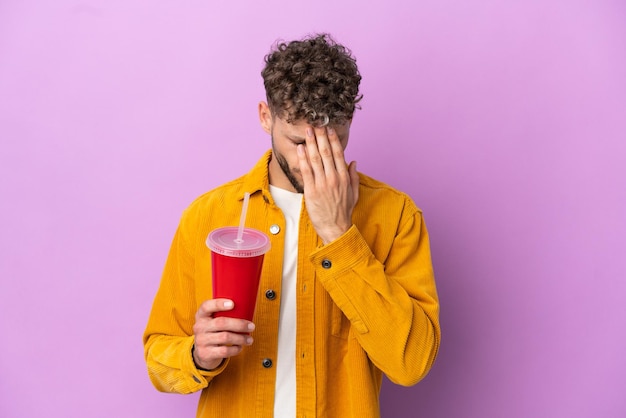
313,79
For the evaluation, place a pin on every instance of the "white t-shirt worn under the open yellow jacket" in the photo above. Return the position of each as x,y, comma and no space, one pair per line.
285,397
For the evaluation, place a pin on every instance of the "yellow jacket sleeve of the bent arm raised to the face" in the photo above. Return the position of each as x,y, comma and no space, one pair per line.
391,302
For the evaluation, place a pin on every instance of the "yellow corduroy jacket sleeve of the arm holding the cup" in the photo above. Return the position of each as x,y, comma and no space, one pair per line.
168,338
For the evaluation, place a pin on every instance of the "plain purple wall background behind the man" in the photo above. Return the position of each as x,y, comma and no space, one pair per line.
505,121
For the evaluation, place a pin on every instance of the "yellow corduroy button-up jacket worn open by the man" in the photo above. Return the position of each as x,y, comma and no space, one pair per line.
374,311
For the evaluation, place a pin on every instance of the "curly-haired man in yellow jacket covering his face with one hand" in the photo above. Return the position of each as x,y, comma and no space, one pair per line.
347,291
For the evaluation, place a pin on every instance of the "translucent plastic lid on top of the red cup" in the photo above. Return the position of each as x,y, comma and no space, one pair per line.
224,241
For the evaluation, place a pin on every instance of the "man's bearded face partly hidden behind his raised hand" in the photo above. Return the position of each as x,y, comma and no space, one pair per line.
284,167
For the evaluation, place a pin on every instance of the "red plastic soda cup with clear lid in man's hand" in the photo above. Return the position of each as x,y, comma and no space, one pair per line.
236,267
